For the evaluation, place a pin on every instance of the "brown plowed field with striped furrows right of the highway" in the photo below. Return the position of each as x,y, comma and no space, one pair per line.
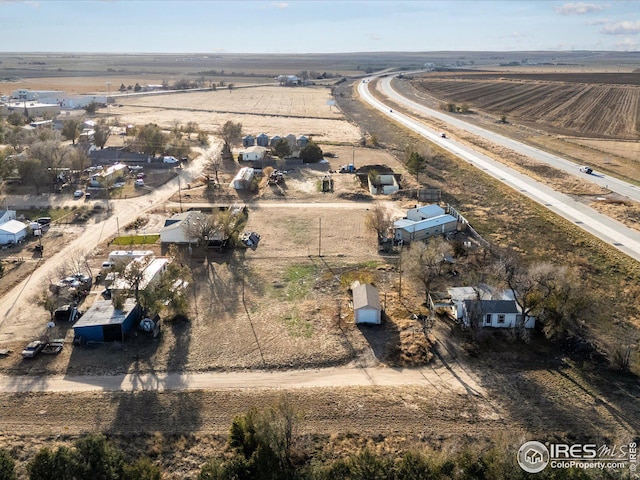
583,105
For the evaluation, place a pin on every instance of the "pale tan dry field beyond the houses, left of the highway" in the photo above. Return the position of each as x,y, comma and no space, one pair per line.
270,109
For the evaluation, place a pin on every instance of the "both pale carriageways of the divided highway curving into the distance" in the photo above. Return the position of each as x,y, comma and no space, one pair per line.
615,233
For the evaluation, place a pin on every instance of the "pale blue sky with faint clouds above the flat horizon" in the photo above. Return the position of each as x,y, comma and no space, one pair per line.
305,26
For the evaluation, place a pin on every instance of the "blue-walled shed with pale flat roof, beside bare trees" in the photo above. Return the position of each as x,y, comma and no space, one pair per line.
103,323
